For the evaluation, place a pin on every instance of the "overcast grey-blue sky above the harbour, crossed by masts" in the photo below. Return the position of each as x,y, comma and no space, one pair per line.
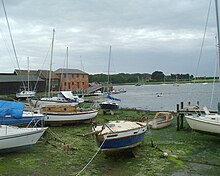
145,35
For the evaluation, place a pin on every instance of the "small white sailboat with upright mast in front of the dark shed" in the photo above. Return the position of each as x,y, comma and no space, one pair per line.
24,94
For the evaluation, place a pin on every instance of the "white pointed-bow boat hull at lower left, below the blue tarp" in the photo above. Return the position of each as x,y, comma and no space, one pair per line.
13,138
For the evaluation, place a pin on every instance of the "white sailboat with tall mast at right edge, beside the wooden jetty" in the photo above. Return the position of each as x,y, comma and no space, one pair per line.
208,122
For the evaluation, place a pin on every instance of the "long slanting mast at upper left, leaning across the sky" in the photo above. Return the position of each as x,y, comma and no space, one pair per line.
12,43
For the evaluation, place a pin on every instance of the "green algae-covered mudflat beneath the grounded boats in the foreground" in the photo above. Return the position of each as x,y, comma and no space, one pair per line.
66,150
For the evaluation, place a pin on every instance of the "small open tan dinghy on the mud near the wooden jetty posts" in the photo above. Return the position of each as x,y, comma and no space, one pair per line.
161,120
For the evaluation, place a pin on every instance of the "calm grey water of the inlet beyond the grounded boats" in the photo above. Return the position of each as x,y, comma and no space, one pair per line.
144,97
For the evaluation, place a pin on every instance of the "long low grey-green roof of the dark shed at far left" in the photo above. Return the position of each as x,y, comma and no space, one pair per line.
18,78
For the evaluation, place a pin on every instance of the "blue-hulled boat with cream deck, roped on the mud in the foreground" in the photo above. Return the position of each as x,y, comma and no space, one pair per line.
119,135
